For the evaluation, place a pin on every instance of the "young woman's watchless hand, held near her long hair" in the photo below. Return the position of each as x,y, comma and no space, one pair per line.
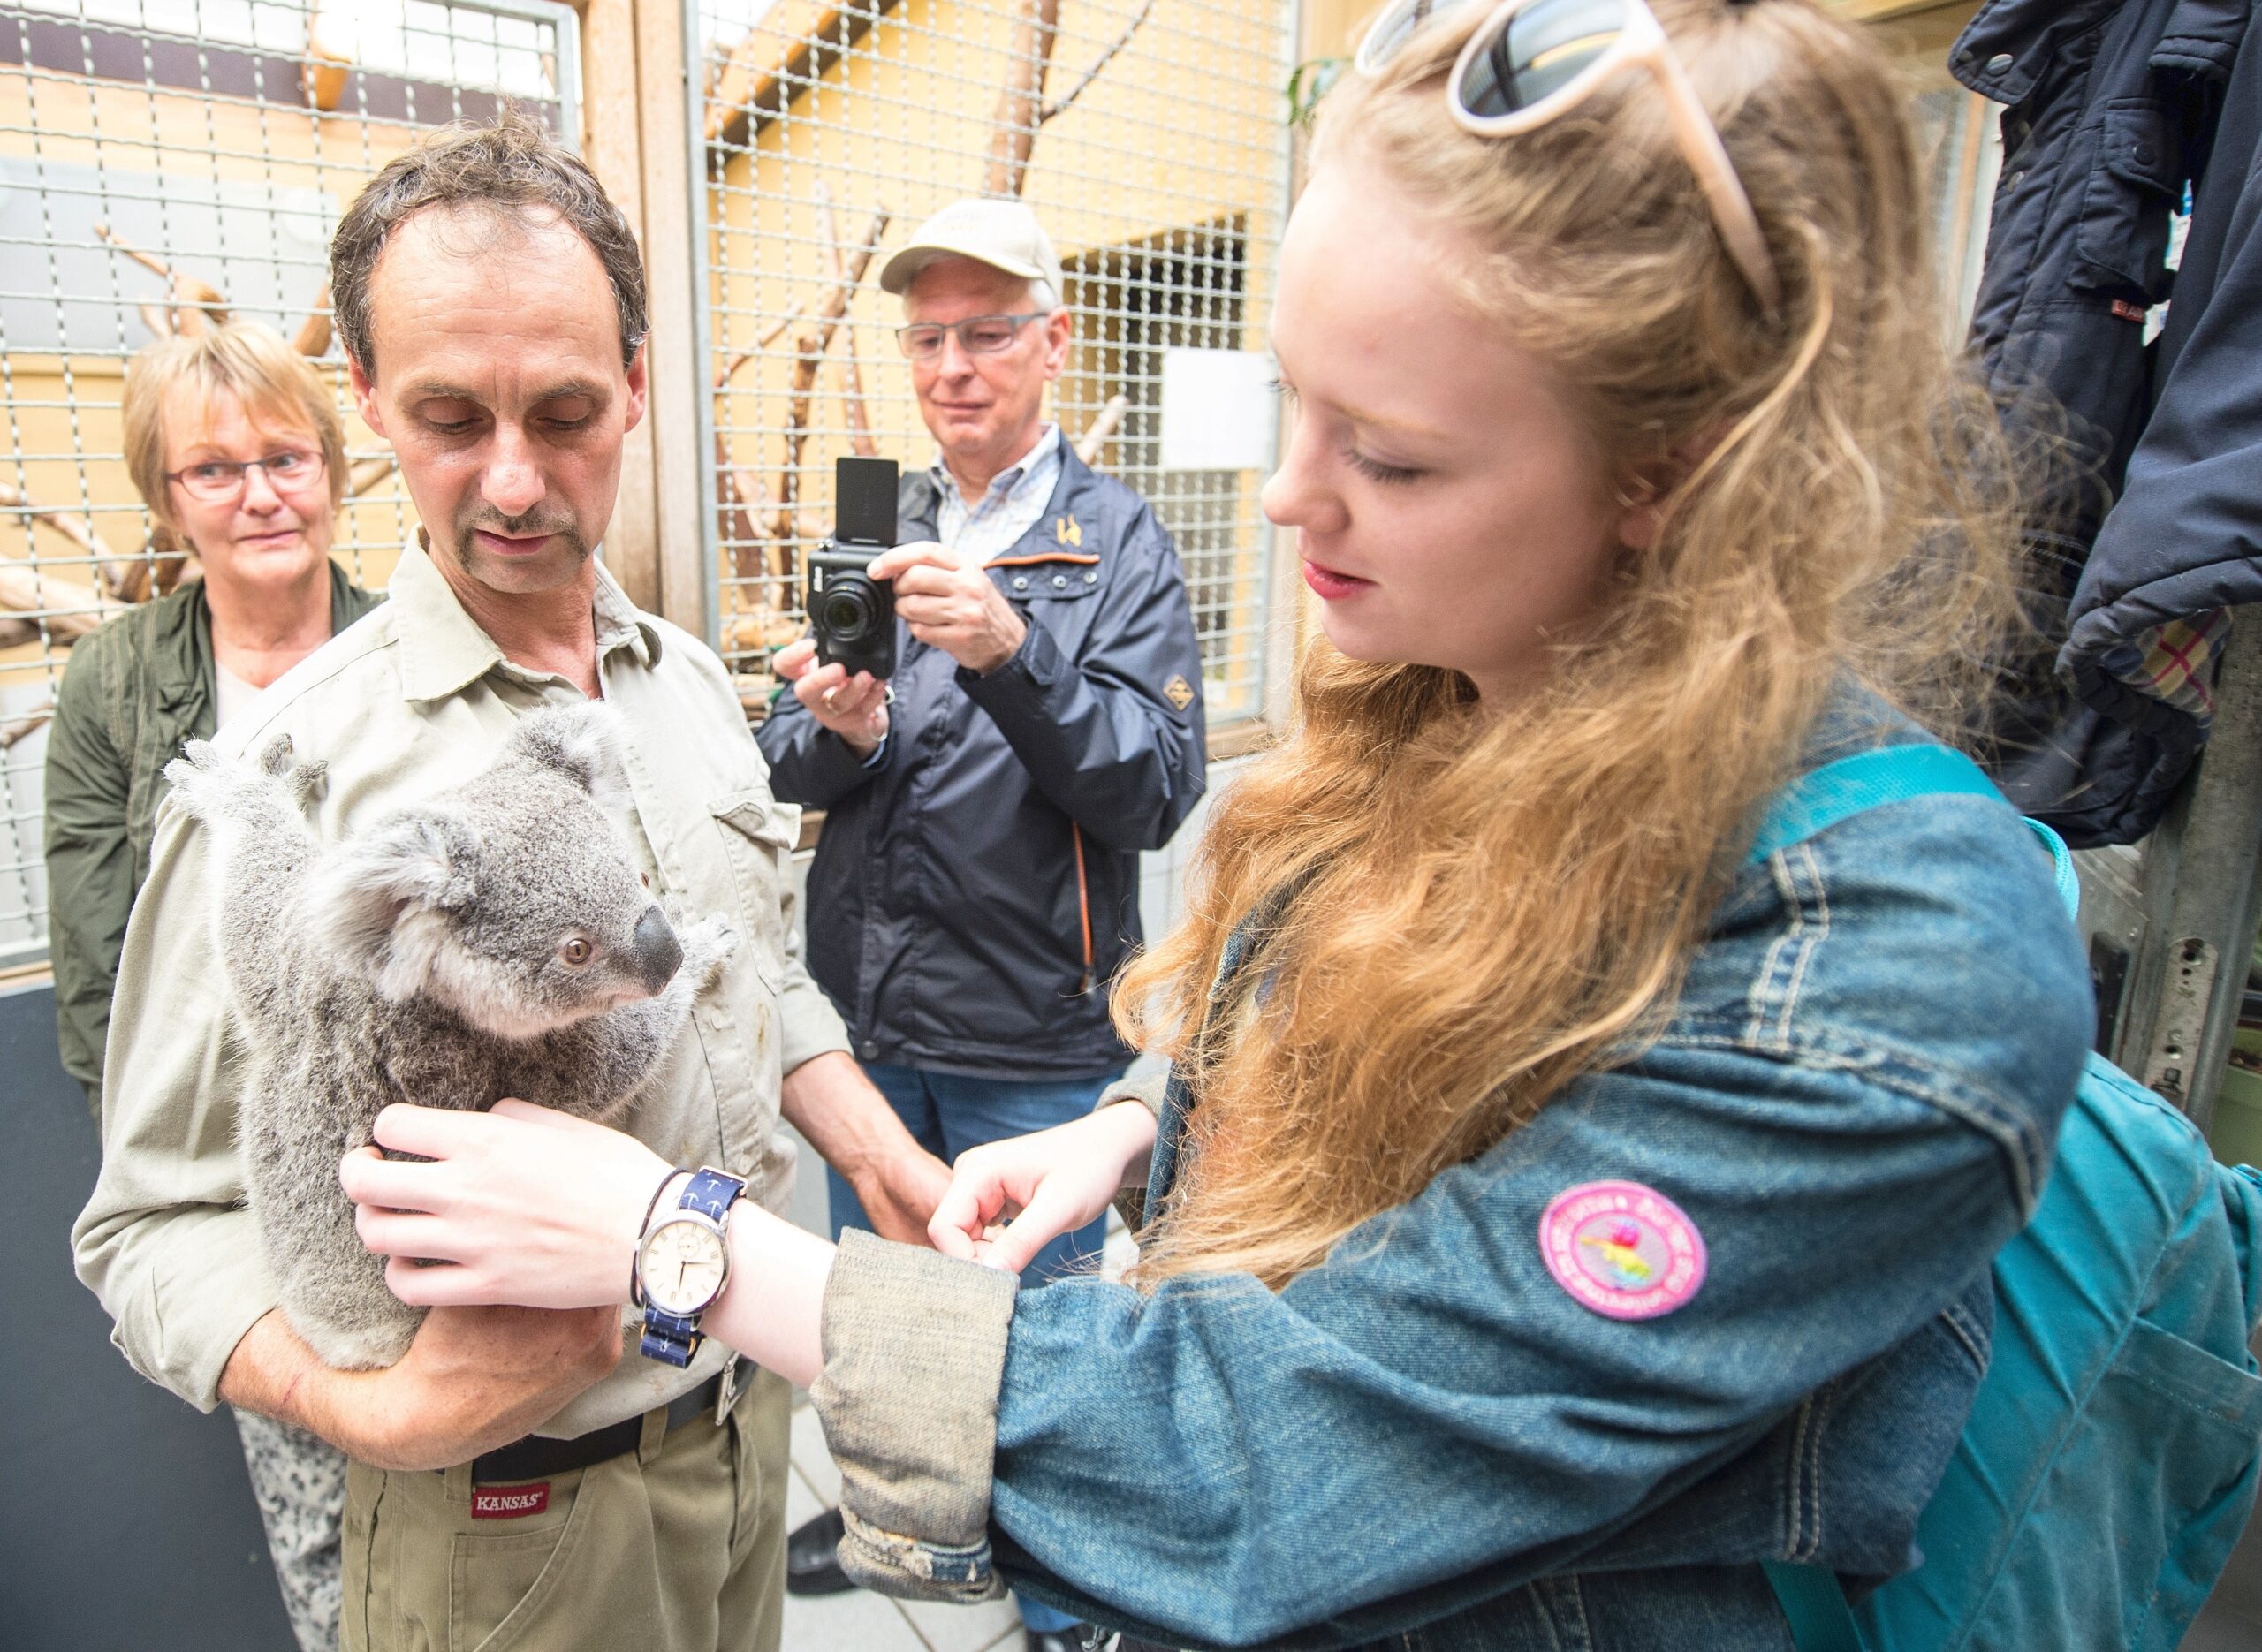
1042,1187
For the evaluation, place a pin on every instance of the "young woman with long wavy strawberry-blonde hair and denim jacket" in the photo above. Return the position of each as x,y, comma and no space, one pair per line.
1557,1212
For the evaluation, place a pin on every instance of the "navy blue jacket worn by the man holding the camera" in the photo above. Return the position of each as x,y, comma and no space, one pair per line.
976,890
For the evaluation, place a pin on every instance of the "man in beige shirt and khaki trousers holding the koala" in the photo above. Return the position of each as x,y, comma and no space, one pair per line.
510,1468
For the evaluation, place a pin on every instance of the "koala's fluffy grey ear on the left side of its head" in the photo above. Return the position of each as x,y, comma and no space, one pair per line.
383,900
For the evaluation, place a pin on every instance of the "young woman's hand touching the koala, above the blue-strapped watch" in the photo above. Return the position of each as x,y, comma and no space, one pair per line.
528,1205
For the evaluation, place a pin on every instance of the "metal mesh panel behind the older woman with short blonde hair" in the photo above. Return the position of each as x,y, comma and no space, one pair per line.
164,162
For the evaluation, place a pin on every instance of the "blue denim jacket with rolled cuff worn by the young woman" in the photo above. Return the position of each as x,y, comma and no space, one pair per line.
1431,1438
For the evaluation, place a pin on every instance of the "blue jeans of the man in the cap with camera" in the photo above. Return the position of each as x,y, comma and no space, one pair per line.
949,1115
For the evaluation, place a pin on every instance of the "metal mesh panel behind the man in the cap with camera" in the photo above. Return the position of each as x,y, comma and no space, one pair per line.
1159,169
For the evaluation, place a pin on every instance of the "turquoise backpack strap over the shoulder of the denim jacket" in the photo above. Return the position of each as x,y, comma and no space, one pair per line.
1811,1597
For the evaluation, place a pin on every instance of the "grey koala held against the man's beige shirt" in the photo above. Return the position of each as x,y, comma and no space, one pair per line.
490,943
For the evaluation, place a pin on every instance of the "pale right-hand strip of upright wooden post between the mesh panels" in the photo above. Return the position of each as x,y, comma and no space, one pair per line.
673,361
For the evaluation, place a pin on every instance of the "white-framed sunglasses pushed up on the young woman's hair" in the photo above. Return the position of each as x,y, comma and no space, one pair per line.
1535,60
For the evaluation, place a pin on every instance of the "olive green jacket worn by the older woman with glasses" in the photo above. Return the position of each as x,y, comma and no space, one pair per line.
135,691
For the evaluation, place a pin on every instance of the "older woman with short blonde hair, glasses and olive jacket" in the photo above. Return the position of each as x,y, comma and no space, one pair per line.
236,447
